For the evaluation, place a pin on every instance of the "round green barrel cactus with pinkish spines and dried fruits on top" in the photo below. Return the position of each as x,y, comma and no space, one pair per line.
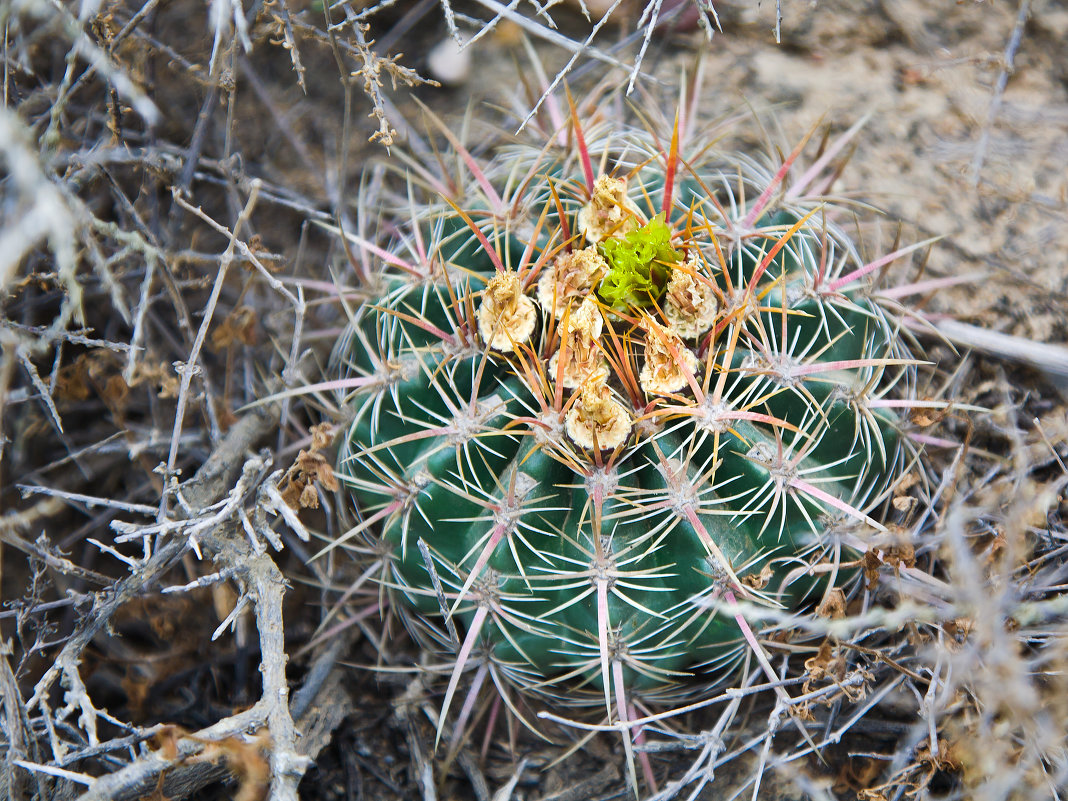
588,414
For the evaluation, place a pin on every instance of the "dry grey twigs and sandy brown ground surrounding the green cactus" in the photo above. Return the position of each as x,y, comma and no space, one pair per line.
172,177
